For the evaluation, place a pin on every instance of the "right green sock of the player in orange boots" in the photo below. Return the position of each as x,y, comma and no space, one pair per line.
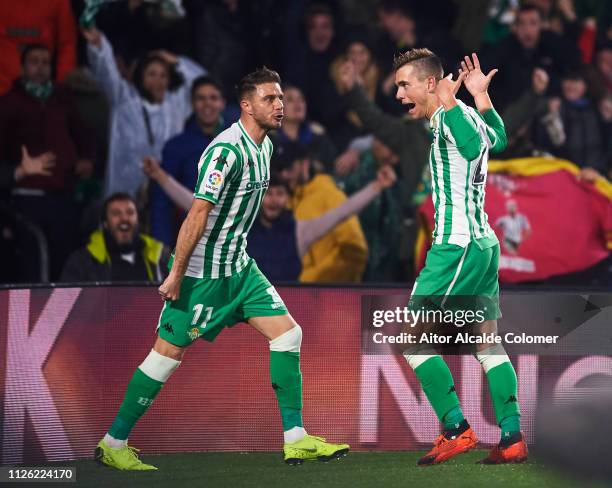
503,388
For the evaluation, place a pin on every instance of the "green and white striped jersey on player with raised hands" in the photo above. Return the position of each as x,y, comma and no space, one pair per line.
458,158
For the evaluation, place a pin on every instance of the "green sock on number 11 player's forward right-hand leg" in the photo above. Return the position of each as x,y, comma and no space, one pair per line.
287,383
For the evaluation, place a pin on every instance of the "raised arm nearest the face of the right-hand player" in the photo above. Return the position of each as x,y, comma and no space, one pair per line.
462,128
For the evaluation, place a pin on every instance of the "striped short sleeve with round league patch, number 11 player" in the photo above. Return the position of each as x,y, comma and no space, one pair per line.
216,168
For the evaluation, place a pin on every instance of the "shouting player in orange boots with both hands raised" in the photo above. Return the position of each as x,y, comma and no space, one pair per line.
463,259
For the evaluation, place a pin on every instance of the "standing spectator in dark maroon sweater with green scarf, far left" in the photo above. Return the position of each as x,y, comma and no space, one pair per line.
39,115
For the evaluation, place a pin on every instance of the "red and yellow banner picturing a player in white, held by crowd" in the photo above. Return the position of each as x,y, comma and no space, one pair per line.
547,222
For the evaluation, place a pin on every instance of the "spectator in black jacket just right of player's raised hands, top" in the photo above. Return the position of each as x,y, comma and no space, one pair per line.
528,48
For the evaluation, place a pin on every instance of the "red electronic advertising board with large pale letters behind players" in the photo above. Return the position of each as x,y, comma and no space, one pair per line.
69,353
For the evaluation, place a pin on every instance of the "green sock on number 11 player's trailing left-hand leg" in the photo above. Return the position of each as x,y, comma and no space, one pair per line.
138,398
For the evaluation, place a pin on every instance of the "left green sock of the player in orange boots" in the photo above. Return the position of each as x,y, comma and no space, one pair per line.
437,383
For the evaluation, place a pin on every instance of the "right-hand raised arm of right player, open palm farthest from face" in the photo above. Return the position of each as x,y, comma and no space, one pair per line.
477,83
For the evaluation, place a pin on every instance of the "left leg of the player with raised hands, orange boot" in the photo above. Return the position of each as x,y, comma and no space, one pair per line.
443,268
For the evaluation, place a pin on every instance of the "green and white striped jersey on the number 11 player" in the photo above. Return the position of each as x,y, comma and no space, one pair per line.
233,174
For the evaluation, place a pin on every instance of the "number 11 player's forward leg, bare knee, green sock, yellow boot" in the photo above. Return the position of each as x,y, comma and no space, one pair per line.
264,310
